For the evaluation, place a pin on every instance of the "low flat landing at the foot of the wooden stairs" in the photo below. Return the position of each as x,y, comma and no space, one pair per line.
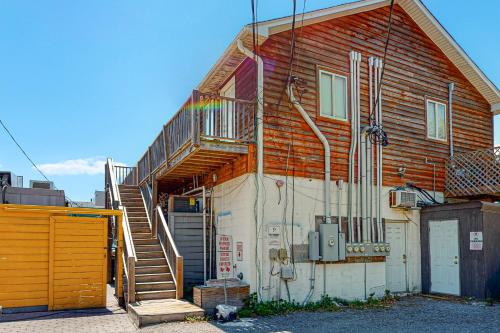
162,310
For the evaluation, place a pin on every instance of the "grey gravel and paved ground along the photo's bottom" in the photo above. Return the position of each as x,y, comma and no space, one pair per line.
410,314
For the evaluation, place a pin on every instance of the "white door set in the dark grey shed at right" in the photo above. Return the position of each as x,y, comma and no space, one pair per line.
444,257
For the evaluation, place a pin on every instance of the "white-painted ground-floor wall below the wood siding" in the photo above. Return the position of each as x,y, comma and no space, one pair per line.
234,206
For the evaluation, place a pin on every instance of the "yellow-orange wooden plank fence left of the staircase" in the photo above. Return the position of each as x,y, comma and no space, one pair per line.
56,256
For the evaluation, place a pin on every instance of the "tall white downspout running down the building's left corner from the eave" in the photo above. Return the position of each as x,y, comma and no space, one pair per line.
260,148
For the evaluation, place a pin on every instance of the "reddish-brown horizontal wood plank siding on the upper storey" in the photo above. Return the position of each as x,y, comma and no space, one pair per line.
416,69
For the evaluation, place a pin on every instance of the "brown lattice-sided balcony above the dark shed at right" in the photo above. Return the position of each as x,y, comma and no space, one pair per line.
474,174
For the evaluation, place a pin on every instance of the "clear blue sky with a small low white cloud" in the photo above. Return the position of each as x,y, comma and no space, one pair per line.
83,80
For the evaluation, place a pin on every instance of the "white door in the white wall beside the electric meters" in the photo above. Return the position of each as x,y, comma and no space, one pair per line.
395,266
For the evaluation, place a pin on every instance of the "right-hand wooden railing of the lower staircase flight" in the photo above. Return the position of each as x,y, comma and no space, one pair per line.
174,259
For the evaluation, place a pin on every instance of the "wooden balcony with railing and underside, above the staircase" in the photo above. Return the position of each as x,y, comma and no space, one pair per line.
206,133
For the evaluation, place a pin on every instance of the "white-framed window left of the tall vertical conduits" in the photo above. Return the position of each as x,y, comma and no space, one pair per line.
333,95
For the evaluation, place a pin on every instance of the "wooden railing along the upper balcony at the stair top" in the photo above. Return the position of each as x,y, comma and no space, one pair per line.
201,117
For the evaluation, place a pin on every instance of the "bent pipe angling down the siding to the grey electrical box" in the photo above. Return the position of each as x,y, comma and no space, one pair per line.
326,147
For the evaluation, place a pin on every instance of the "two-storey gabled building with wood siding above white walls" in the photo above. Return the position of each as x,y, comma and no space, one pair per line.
277,128
